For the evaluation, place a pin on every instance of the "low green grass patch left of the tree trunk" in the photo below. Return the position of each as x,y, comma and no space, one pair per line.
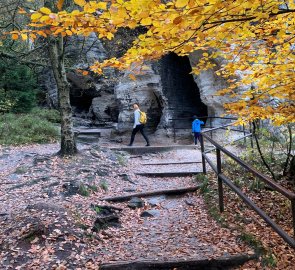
34,127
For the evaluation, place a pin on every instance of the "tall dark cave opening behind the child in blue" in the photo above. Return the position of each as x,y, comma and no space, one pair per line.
180,89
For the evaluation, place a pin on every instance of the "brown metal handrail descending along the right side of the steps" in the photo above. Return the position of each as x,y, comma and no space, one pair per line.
223,179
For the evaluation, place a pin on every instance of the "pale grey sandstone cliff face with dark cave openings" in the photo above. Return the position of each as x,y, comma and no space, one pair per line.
165,90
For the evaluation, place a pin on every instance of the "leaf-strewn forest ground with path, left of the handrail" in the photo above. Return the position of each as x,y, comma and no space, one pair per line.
49,209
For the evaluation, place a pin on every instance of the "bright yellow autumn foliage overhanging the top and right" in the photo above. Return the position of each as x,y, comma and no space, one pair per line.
255,38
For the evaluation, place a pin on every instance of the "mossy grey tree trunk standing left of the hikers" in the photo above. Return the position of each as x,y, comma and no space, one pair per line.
56,55
